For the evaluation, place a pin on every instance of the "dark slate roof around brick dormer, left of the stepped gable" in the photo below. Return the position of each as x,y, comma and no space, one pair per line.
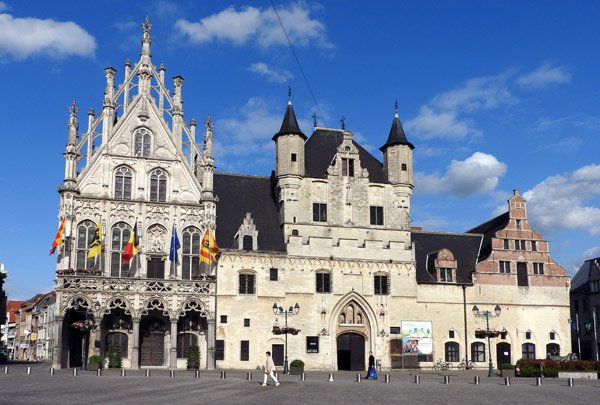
464,247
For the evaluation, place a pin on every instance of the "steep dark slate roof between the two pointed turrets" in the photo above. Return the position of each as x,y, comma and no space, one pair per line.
321,147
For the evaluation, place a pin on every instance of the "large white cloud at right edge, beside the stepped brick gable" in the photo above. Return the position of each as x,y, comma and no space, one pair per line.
566,202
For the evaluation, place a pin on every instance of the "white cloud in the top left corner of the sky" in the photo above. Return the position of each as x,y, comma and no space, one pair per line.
24,37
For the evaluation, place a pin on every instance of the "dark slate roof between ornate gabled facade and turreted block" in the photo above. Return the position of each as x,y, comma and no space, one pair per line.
239,194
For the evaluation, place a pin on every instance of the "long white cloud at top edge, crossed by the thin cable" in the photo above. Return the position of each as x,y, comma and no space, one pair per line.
260,26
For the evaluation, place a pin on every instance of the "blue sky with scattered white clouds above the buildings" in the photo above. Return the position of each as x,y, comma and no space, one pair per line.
494,96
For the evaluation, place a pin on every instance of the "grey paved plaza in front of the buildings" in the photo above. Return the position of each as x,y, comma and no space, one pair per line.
39,387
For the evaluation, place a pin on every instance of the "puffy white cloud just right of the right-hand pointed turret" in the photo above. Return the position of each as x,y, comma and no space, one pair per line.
477,174
